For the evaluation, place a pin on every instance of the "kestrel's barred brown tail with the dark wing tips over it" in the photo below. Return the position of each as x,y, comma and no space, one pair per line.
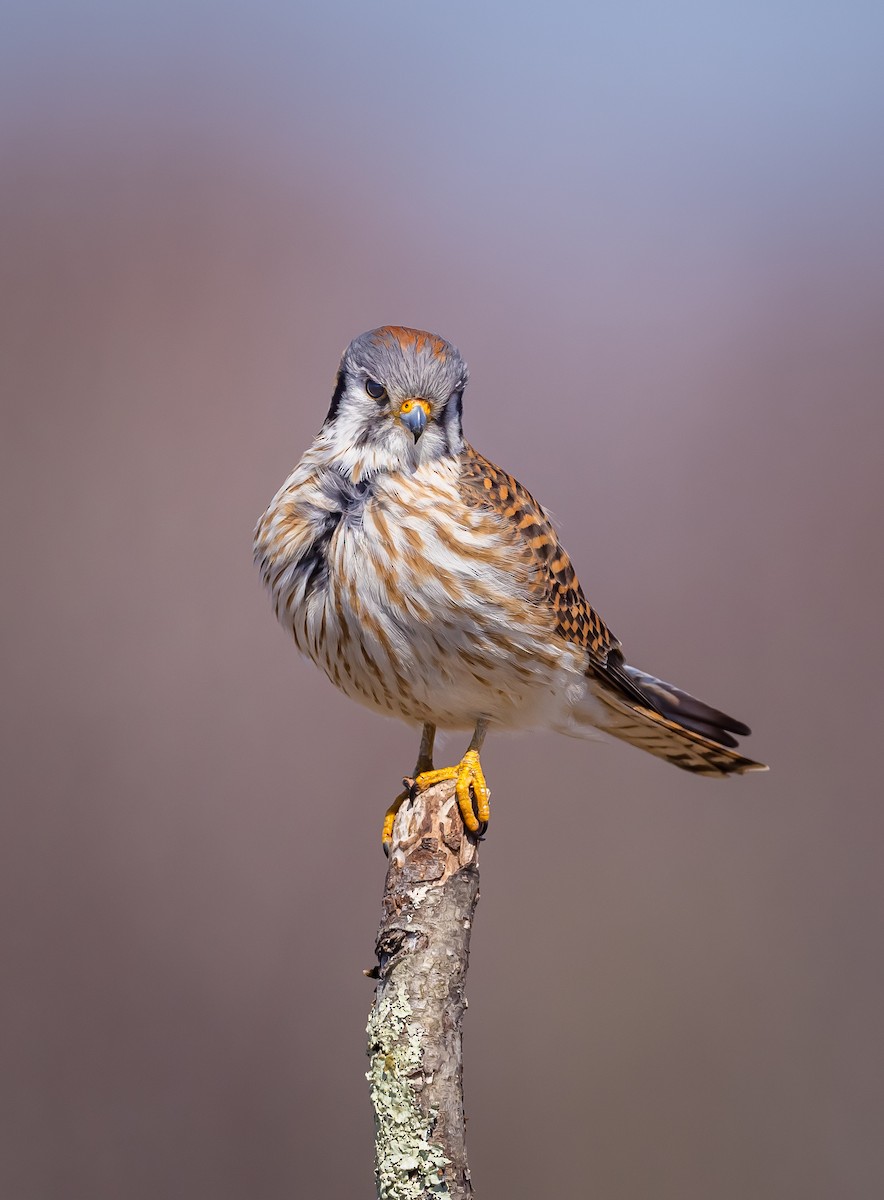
676,727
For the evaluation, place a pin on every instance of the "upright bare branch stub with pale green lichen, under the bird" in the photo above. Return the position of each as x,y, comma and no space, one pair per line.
414,1028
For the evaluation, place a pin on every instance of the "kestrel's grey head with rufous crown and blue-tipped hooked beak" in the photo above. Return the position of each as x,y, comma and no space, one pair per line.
396,403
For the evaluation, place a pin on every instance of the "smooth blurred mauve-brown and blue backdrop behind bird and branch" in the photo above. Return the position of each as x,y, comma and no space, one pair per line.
657,233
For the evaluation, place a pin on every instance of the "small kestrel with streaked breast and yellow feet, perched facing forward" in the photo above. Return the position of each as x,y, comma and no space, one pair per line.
430,585
